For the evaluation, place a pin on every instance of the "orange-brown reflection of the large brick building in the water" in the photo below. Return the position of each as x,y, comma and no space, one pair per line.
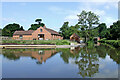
40,55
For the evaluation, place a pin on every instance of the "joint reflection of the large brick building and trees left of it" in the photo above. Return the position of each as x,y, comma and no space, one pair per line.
40,55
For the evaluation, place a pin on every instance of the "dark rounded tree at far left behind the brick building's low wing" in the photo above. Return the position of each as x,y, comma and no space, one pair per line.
9,29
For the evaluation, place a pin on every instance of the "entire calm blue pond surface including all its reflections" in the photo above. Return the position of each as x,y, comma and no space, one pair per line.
95,62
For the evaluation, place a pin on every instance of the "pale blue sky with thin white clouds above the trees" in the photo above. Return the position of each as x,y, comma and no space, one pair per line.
54,14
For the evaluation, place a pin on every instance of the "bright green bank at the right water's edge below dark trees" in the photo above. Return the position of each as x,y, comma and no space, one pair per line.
114,43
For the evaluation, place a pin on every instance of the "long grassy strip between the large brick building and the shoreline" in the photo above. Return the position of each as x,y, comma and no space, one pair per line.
48,42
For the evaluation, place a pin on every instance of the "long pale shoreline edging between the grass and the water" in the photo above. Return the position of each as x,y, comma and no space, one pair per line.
39,46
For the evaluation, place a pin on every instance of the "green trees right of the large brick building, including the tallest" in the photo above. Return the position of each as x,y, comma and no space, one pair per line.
88,26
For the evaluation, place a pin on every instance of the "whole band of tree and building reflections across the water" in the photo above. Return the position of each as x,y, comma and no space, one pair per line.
86,58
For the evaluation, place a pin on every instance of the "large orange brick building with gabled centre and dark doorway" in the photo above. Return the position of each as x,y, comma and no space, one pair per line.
42,33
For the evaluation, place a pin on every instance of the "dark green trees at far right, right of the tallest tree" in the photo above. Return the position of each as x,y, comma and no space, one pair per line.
112,33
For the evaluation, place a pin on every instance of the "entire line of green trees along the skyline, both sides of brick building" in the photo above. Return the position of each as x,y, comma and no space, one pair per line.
88,26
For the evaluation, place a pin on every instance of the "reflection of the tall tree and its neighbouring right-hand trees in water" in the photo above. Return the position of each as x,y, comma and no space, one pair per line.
87,58
